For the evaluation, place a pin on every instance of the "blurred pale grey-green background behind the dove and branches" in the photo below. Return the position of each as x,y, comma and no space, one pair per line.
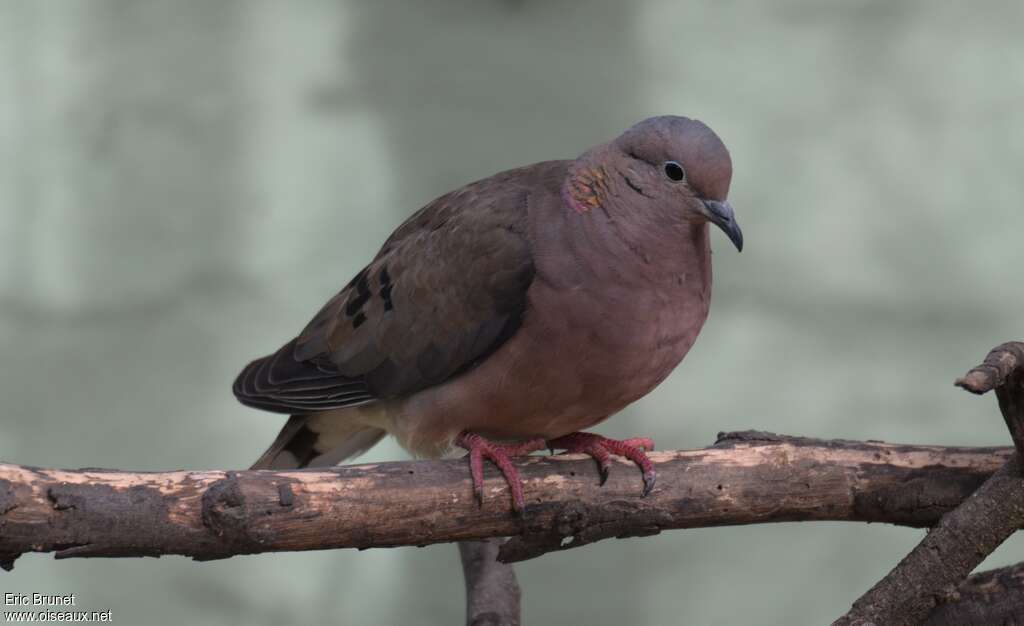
183,185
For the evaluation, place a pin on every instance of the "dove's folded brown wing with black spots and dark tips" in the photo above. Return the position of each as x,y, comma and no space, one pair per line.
446,290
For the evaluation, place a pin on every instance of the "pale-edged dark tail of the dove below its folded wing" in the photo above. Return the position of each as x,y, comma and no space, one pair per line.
319,440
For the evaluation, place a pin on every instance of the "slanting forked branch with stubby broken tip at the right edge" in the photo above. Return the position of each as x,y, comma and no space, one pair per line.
967,535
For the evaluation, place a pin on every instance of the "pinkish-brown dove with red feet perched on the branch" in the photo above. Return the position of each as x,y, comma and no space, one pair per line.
509,315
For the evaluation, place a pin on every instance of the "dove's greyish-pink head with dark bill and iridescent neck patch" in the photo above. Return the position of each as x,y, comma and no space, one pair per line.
672,166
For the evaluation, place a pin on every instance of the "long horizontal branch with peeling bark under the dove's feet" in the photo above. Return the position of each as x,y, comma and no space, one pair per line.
746,478
